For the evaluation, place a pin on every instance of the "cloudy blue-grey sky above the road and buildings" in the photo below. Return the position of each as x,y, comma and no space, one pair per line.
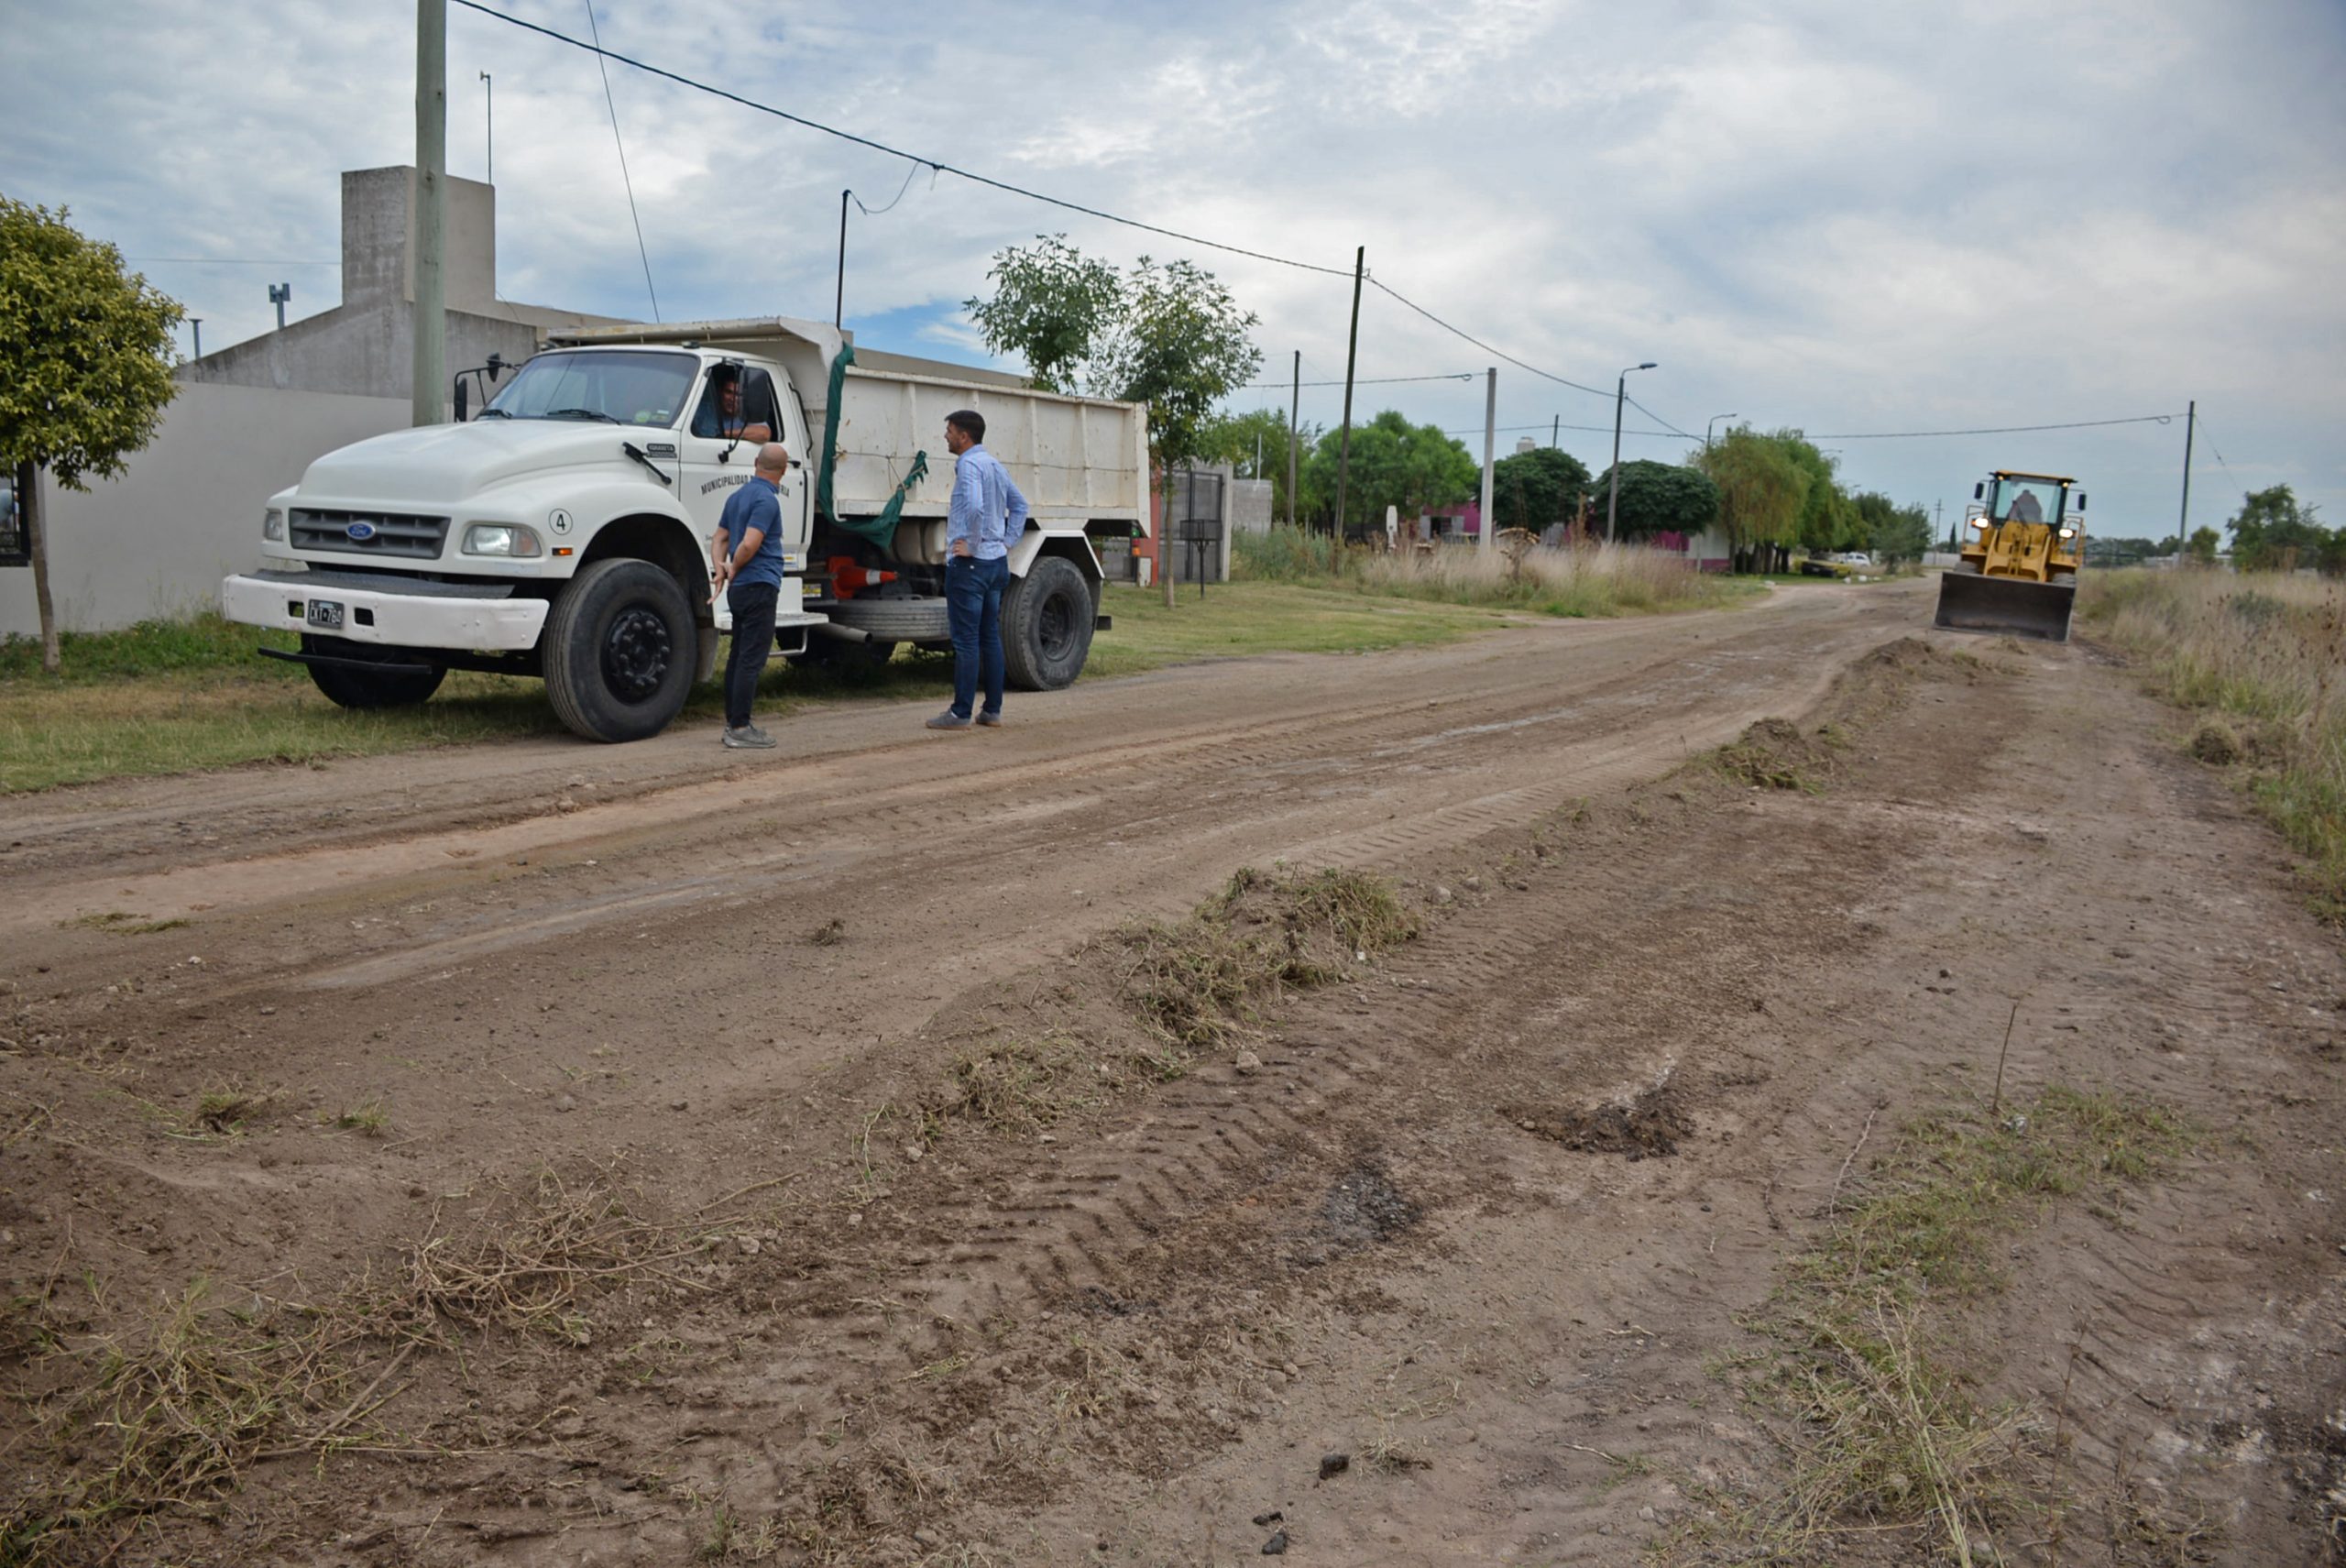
1833,215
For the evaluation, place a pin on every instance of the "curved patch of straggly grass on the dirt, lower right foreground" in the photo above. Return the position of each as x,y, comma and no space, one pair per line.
1871,1379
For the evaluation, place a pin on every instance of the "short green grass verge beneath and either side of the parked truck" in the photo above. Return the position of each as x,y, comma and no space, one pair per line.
191,694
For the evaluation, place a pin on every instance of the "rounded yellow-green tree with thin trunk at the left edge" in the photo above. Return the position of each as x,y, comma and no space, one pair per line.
86,370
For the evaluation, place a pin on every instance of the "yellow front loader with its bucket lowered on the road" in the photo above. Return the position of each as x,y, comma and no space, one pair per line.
2021,560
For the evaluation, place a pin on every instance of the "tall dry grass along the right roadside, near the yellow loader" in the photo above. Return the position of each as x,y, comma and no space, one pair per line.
2270,654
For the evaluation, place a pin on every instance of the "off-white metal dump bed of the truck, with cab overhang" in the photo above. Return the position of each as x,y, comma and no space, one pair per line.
1076,459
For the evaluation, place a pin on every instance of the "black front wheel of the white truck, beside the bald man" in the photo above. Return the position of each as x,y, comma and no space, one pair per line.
621,647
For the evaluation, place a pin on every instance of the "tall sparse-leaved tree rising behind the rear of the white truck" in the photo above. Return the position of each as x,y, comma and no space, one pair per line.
1167,337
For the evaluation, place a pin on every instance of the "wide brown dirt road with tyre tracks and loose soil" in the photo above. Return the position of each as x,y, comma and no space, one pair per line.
740,1090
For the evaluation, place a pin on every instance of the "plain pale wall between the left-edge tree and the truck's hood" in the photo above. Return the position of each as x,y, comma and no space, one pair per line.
187,513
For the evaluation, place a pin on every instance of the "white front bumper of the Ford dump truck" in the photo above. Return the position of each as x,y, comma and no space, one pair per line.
393,616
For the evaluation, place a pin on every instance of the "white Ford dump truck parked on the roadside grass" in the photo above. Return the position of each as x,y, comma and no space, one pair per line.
564,532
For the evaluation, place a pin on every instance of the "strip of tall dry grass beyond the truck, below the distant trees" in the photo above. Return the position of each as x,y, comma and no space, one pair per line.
1594,581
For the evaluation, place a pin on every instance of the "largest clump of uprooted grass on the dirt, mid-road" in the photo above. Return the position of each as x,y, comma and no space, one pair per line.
1200,980
